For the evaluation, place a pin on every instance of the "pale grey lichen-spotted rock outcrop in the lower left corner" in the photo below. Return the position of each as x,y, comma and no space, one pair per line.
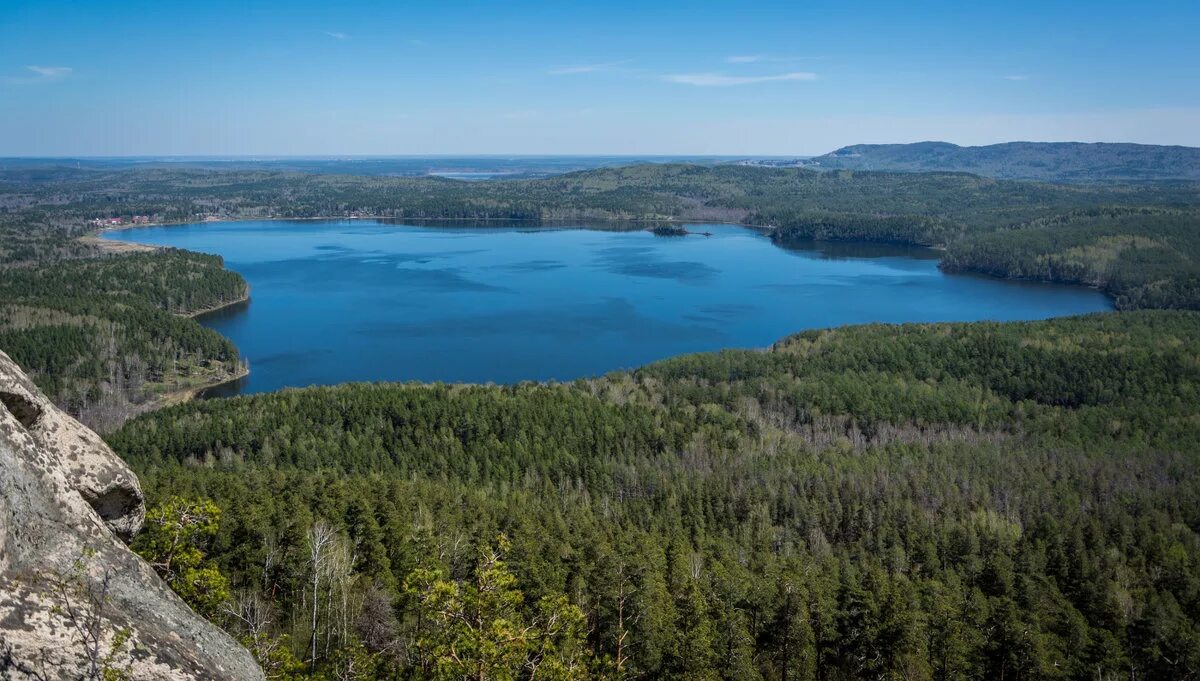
75,601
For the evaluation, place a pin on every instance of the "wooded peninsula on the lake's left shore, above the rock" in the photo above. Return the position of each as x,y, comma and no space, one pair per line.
105,334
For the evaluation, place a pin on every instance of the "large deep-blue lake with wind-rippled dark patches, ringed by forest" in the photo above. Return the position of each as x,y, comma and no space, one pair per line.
338,302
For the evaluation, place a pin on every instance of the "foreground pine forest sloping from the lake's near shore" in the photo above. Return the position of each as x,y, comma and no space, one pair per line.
921,502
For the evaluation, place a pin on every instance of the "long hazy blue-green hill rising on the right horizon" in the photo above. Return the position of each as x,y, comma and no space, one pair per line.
1059,161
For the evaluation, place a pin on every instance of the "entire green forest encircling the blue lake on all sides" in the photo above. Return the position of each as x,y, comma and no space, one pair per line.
921,502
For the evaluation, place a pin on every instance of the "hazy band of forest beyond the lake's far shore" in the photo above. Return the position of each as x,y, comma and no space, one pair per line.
761,196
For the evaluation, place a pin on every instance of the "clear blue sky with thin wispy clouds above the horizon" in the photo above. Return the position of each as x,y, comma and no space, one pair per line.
123,79
